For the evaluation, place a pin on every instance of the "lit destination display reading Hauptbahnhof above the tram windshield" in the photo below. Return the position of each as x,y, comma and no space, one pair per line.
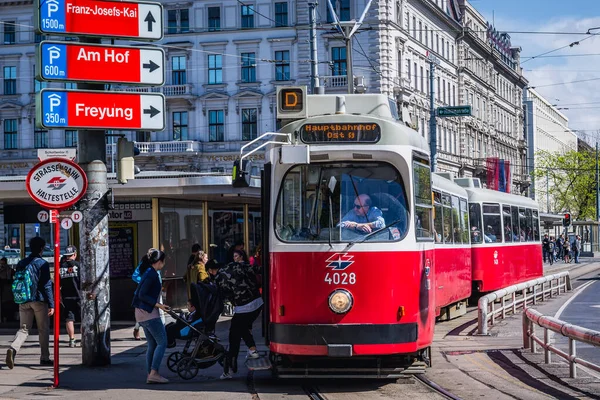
347,132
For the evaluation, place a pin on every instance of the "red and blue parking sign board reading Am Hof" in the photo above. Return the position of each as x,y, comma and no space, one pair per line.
77,62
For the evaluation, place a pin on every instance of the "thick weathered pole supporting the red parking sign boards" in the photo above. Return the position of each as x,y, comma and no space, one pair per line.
93,235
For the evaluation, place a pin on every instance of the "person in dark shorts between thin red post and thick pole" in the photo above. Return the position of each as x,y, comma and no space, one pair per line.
70,291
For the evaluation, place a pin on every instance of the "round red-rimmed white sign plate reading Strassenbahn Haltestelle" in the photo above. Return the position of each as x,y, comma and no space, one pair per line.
56,183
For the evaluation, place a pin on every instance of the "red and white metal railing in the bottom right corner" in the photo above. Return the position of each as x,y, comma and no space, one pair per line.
573,332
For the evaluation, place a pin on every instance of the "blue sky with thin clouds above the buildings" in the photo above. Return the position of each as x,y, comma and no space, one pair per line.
581,62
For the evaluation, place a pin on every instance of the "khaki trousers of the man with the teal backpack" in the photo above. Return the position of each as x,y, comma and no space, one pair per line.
27,312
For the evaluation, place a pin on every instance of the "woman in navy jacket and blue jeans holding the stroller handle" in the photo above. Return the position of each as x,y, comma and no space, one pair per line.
146,303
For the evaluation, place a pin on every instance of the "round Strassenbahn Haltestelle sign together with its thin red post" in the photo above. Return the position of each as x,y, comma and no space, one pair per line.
56,183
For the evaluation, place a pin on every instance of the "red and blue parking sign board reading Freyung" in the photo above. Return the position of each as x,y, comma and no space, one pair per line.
81,109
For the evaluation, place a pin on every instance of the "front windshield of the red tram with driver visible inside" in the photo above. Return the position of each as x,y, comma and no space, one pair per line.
342,202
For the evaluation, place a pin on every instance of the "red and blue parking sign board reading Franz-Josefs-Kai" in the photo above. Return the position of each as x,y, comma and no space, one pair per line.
121,19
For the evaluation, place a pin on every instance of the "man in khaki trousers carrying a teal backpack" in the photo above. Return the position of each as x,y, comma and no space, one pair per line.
32,291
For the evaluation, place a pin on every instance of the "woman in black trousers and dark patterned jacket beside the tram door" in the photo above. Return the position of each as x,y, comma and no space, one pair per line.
238,283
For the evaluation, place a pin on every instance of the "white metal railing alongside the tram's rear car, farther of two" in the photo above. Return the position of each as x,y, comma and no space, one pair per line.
531,292
